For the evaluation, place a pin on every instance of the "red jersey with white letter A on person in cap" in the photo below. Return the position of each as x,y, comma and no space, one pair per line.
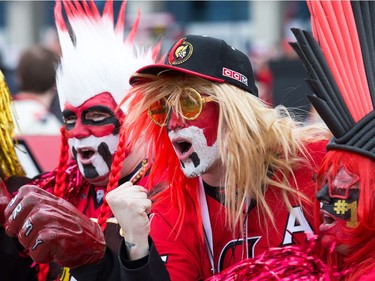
187,257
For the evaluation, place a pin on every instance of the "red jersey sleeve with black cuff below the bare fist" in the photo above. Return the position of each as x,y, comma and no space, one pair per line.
173,255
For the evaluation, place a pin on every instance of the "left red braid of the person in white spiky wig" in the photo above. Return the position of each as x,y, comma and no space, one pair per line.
60,184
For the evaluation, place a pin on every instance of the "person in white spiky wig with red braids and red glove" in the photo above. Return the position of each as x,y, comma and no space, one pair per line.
62,206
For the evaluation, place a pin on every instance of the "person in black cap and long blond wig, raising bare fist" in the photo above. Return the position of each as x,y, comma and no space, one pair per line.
239,174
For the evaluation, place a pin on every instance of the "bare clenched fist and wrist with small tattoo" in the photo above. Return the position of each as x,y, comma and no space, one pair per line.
130,205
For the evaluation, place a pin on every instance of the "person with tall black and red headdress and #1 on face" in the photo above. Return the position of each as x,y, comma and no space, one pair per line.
341,78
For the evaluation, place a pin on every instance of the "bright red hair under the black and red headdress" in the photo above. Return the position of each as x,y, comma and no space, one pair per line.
361,241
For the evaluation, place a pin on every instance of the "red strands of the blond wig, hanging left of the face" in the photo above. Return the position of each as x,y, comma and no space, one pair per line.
181,192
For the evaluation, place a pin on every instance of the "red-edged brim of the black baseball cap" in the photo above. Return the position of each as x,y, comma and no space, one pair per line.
157,69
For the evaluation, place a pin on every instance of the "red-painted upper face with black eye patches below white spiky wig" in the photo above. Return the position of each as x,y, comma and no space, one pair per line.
97,117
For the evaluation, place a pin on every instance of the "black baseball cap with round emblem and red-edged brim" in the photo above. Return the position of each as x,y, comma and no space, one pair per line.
209,58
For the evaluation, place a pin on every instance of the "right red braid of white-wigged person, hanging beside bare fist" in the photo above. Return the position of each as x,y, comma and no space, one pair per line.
117,164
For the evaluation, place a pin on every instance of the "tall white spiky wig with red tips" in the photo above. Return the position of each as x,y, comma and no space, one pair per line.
96,57
